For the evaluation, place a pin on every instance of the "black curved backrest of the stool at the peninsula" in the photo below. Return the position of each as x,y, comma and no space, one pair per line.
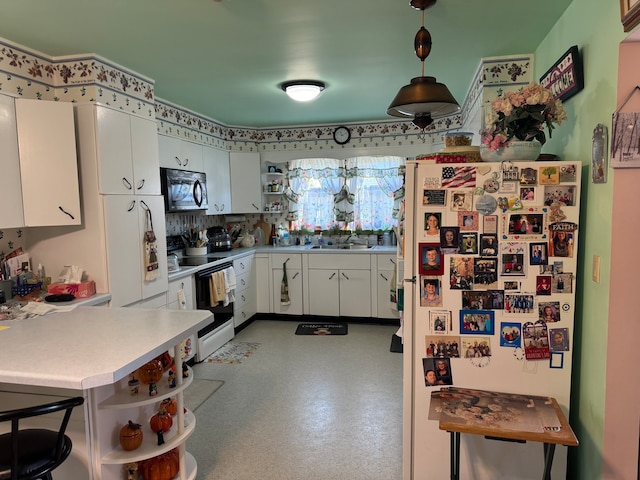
14,416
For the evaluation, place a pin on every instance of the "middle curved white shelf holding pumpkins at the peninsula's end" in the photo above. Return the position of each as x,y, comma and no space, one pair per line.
150,448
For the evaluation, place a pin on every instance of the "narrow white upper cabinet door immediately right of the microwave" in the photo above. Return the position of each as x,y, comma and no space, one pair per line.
216,167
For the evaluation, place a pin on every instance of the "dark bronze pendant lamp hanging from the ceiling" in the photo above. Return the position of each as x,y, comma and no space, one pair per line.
424,98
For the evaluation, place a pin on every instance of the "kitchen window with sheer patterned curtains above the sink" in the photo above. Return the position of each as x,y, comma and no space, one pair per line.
360,193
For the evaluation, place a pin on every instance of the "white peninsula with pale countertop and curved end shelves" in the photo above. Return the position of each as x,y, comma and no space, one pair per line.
90,352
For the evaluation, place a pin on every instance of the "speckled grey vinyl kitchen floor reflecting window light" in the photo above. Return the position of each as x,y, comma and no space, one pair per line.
303,407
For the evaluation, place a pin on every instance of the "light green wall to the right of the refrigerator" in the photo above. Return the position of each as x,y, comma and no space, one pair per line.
593,25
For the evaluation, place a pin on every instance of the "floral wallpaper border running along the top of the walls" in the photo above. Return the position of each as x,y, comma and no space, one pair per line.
86,78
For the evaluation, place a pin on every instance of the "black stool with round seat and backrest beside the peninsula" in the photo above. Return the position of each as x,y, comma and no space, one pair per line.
32,453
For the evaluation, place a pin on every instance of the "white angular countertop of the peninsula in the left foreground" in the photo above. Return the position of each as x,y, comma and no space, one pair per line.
90,346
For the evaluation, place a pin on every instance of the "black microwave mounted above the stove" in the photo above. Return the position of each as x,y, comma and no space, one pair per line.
183,190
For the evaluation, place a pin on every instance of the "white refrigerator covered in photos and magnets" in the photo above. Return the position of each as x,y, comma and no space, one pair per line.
490,258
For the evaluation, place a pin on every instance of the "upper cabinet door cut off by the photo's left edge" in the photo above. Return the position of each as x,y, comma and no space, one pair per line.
10,187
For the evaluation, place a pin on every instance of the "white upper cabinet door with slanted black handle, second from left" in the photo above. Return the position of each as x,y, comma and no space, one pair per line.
48,163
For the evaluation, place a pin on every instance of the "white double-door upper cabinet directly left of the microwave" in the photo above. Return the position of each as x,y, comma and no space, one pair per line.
127,151
